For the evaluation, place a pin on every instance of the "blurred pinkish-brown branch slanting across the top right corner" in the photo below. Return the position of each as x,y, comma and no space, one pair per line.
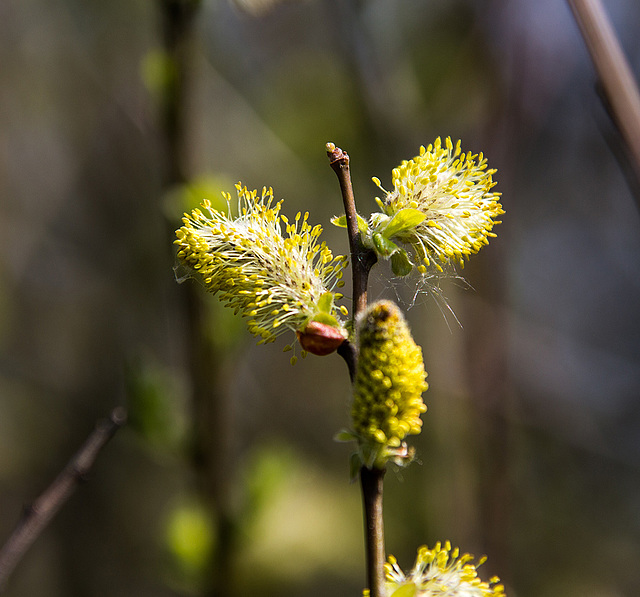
616,78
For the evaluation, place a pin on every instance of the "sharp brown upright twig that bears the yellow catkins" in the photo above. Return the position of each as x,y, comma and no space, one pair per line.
371,480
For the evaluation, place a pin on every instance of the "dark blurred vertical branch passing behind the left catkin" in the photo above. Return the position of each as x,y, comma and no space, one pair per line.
209,416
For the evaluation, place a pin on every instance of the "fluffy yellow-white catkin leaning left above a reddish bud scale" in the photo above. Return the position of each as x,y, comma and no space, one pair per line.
276,279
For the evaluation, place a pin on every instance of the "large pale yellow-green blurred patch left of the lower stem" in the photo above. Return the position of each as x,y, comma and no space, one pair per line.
299,521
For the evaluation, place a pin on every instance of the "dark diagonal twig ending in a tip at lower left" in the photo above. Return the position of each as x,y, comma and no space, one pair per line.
43,509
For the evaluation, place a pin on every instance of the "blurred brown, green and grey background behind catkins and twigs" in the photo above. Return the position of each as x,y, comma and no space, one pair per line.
117,116
